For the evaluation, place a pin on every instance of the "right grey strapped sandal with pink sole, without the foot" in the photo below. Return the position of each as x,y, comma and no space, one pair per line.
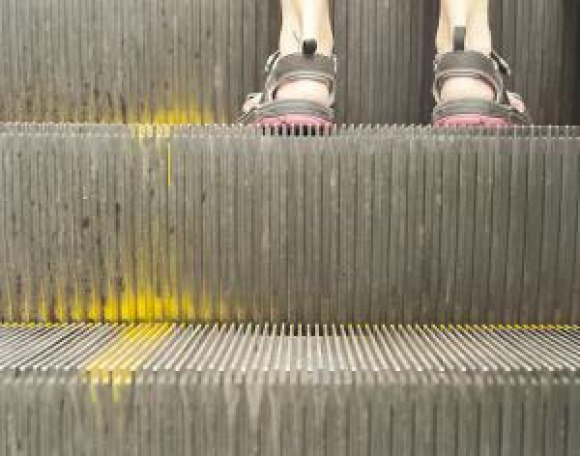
507,108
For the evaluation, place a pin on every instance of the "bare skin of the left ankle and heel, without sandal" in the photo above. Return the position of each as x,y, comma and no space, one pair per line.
304,20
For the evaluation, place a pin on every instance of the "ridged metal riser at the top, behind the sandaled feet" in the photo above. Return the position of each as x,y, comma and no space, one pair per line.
193,61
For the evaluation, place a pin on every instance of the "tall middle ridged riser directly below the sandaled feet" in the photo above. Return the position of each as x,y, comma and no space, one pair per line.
361,225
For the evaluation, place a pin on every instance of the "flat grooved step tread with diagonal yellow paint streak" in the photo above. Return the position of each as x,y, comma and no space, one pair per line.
140,349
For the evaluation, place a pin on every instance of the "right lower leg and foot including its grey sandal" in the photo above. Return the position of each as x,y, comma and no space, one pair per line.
469,77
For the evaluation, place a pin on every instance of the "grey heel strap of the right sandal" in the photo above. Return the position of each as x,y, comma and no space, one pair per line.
470,64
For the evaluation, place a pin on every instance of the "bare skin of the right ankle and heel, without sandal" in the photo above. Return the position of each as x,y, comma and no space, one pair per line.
472,14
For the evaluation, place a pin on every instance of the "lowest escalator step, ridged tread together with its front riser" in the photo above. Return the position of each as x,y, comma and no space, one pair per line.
292,390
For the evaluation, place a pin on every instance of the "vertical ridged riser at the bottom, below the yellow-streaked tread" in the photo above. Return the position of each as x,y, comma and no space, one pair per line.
194,418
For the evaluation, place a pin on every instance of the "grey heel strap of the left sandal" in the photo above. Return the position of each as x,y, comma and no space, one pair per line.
299,67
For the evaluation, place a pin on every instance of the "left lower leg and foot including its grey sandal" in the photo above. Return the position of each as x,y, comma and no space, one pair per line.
299,88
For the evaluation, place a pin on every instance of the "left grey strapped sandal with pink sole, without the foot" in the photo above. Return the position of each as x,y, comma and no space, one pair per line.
264,109
